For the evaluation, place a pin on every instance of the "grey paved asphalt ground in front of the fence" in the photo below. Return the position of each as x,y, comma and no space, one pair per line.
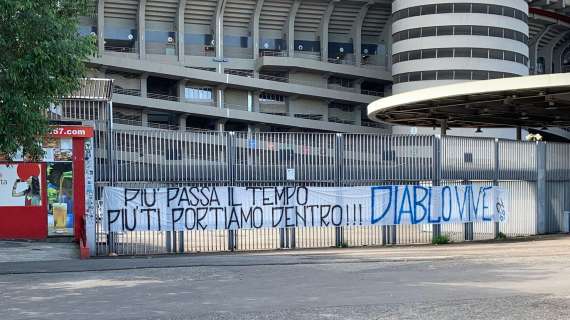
522,280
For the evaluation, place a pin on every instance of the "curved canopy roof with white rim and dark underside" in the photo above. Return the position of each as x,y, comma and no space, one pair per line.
531,101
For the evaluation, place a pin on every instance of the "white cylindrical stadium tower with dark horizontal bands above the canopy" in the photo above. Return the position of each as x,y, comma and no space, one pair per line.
437,42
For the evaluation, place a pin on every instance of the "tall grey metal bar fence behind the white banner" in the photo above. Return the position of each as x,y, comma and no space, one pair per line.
537,176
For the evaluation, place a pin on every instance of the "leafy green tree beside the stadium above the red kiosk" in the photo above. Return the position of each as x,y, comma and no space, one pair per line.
42,58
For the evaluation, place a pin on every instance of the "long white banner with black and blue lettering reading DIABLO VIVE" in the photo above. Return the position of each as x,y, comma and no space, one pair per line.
232,208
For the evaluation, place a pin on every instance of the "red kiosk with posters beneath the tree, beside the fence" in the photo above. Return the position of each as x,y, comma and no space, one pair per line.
48,198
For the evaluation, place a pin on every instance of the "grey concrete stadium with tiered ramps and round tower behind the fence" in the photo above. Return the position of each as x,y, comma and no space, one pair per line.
298,65
